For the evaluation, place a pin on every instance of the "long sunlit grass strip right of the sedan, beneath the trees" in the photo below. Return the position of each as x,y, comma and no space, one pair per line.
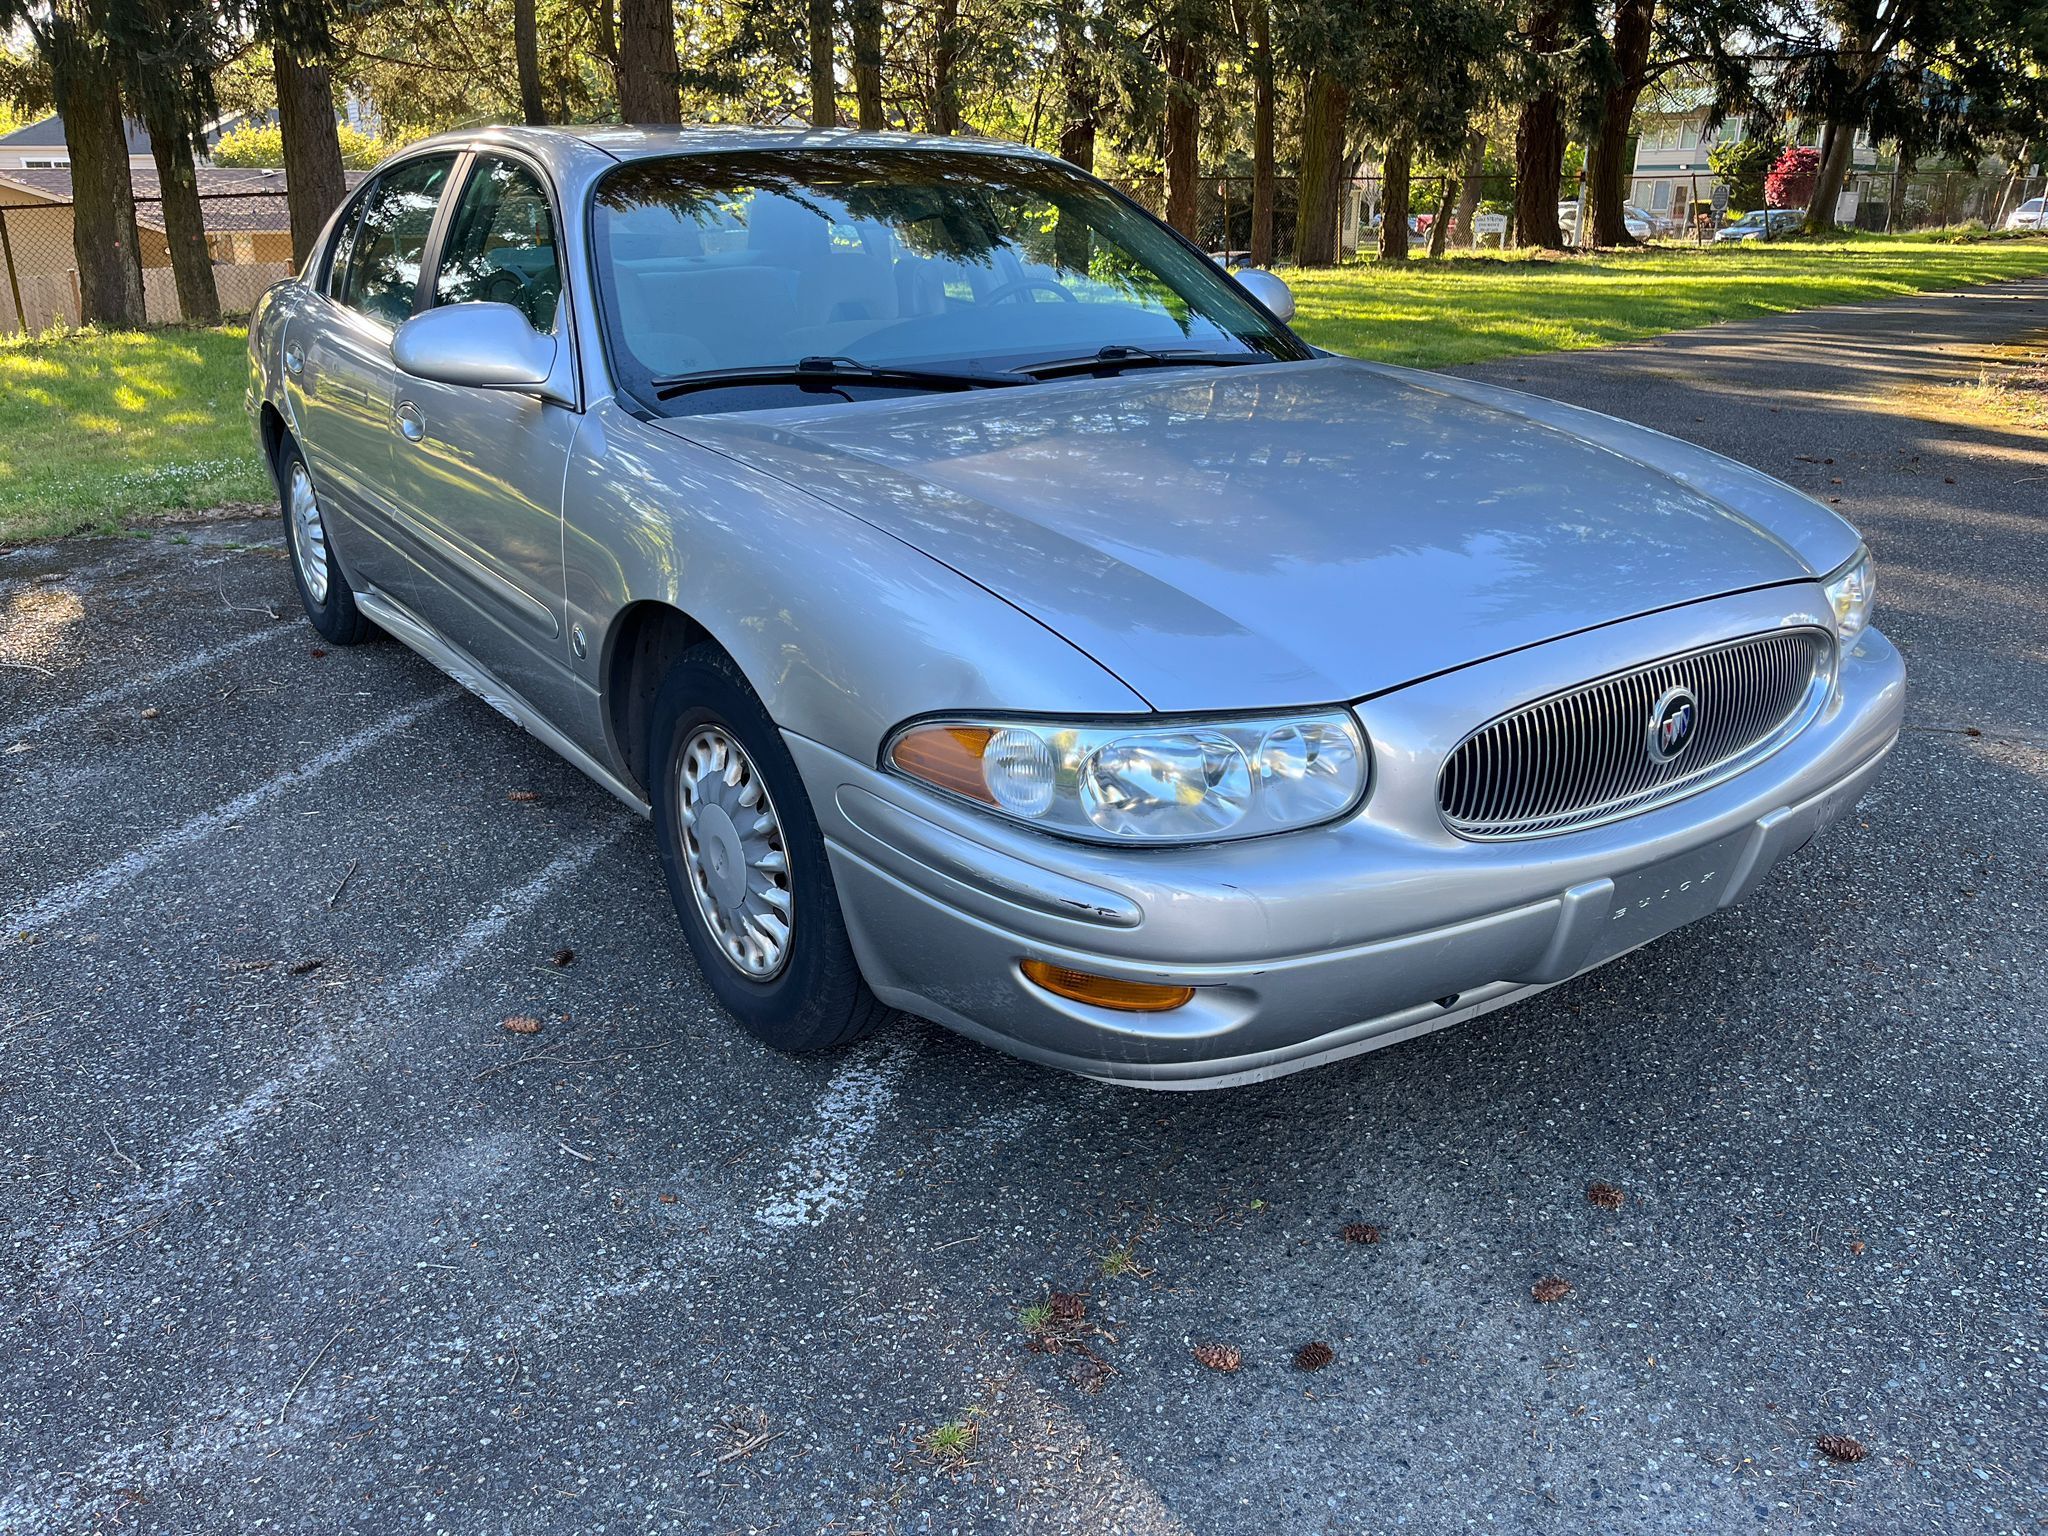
1471,308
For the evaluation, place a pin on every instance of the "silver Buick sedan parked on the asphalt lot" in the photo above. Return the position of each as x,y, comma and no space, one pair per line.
1005,617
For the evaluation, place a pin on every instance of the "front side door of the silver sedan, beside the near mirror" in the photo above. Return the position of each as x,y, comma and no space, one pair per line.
480,472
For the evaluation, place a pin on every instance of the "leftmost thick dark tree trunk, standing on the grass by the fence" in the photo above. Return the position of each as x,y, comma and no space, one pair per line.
103,196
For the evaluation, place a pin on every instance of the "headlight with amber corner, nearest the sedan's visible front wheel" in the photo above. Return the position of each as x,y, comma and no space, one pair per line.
1140,781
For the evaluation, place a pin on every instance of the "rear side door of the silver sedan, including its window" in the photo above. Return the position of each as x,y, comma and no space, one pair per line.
345,376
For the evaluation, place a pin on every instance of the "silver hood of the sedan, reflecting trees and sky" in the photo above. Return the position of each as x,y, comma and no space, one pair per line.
1293,534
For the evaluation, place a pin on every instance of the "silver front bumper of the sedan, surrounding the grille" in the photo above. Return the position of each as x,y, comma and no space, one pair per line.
1318,945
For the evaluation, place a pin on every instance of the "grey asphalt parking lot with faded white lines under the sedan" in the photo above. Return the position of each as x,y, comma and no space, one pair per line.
298,1238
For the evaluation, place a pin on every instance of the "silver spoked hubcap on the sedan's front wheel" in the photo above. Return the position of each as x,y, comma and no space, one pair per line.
734,853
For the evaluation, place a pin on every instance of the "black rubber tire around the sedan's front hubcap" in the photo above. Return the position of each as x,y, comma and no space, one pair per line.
816,998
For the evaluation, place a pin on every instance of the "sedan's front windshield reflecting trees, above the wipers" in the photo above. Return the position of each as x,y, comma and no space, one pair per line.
894,259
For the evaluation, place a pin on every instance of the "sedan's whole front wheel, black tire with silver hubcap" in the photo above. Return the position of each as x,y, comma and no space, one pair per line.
746,863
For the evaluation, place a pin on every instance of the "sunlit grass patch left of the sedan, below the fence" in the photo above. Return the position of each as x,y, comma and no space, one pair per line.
101,429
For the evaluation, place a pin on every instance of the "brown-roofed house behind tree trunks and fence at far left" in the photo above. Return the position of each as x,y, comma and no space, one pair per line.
249,234
